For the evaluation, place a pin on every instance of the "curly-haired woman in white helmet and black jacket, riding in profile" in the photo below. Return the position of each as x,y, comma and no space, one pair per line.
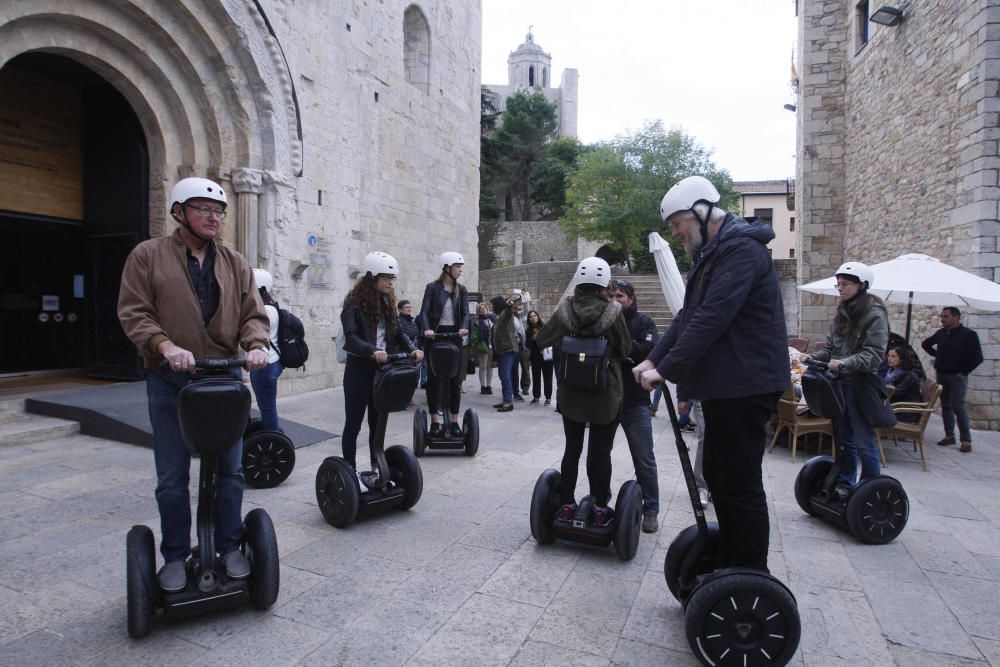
371,333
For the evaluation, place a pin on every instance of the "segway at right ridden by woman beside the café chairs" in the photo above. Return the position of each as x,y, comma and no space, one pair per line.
876,510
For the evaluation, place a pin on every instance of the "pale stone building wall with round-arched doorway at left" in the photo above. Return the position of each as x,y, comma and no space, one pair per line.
337,128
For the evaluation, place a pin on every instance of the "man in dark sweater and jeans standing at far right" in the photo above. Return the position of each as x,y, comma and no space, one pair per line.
956,353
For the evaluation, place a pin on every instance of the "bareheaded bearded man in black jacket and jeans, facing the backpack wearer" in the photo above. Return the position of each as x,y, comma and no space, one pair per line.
636,419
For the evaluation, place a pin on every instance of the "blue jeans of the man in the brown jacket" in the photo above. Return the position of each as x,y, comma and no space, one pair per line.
173,468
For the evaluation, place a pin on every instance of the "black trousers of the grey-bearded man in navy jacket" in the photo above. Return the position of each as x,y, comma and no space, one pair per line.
734,451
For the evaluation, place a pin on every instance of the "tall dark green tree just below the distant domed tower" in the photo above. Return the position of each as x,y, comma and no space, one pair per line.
527,126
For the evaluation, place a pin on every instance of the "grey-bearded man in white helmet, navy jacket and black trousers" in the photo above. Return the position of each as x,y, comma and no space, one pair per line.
728,346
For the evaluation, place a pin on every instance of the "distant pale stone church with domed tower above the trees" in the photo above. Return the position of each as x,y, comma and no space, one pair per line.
529,68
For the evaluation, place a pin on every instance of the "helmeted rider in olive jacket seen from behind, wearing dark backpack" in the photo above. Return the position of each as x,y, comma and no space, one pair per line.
589,313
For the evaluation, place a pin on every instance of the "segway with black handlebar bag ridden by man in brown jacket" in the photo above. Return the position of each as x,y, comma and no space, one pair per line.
212,411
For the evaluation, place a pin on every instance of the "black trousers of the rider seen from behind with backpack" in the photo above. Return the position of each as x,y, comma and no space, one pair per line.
602,437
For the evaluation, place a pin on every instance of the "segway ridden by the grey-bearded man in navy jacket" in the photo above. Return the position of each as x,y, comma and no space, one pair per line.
732,615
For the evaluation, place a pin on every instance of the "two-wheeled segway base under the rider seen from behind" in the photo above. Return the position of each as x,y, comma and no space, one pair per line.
623,529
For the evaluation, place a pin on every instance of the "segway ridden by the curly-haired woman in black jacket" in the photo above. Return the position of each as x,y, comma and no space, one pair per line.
395,479
